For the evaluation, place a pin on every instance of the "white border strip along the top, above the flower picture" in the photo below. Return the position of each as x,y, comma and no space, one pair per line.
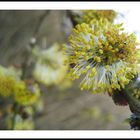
68,5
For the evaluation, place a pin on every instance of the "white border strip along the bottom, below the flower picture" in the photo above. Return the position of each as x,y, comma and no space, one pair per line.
70,134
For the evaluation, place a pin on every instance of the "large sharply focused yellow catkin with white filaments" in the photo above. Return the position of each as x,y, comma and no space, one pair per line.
103,54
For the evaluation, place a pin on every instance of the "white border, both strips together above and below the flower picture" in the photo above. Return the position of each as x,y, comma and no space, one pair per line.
69,6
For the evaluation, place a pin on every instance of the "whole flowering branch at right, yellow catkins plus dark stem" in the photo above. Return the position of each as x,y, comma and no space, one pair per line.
107,58
